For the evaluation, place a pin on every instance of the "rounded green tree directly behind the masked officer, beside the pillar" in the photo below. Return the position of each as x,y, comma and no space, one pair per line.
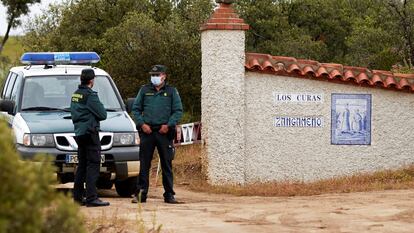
141,41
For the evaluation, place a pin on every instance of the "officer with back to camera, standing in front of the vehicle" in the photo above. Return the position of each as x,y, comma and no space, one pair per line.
87,111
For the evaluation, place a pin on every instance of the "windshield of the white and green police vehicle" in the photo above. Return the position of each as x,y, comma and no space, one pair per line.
55,92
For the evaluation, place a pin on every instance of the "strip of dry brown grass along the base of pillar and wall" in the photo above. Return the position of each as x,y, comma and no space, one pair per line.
187,168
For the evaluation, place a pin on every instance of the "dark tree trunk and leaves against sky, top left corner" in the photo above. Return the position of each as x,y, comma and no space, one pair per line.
15,8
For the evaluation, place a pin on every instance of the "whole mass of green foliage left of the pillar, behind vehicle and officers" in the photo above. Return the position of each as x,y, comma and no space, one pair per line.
131,36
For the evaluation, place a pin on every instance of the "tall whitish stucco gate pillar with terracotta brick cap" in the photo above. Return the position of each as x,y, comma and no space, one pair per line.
222,98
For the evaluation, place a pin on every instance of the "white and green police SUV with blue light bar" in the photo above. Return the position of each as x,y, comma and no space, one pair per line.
35,100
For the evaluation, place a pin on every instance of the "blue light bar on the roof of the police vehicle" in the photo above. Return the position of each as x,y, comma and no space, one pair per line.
54,58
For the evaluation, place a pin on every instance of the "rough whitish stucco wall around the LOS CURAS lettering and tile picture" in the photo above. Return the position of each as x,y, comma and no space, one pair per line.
306,154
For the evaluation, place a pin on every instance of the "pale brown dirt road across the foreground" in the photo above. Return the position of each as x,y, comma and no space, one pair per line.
386,211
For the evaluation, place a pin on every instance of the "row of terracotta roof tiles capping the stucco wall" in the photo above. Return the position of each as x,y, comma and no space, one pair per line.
361,76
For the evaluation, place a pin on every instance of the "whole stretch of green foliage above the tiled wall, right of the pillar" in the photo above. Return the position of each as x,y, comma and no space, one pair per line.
372,33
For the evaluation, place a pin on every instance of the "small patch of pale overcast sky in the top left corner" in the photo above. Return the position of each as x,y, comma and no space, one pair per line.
34,10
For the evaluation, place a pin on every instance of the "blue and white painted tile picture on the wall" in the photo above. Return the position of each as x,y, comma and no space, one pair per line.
351,119
